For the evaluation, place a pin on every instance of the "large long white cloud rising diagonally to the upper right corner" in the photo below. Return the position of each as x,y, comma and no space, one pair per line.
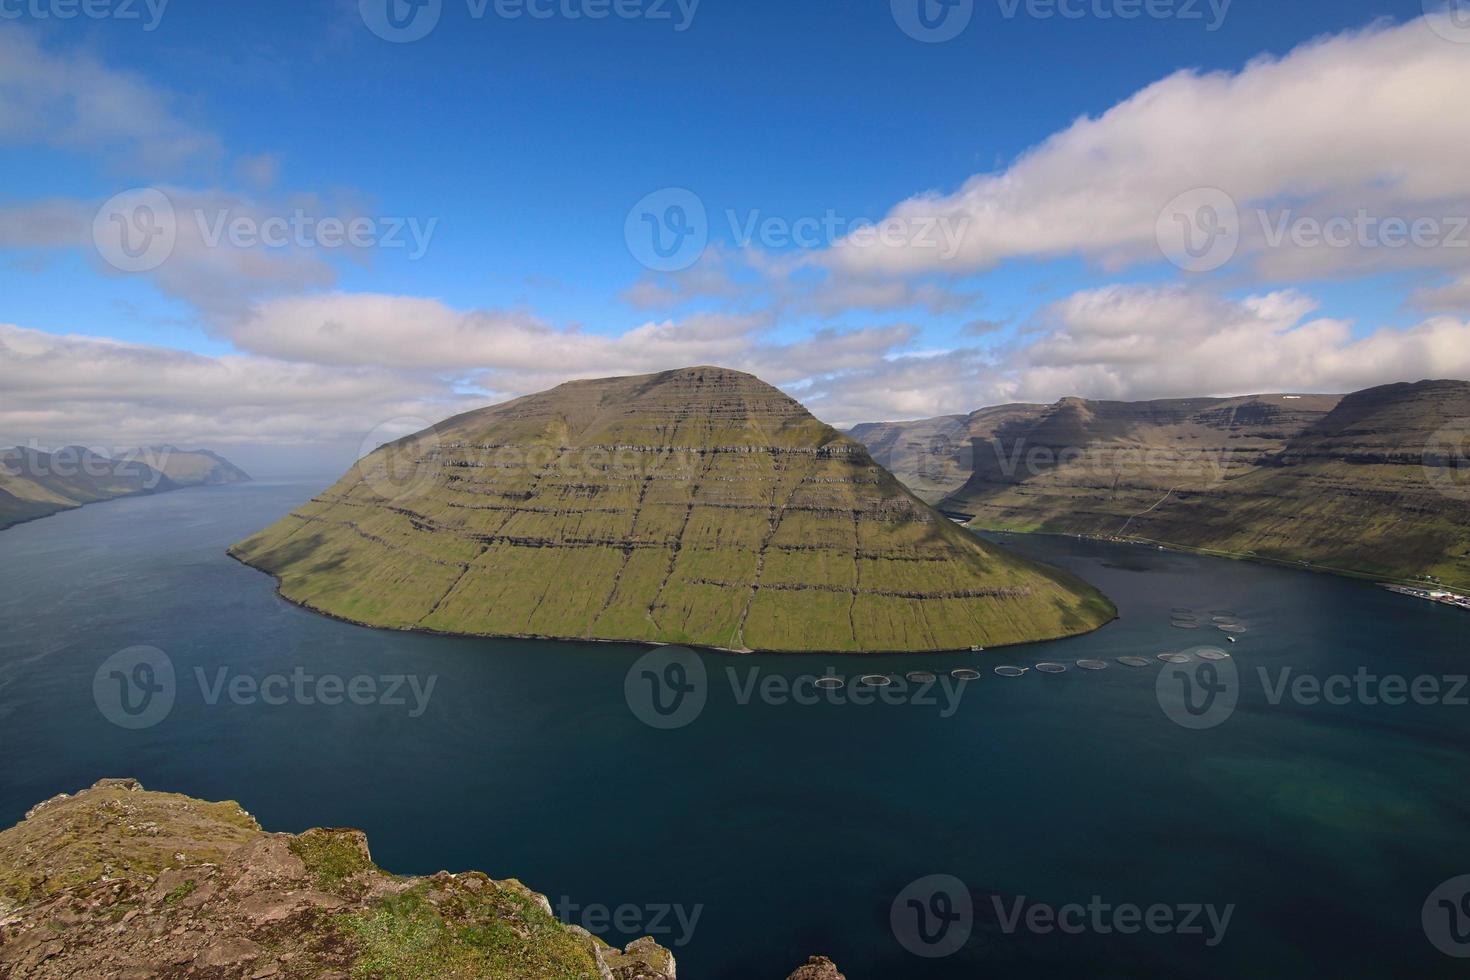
1371,120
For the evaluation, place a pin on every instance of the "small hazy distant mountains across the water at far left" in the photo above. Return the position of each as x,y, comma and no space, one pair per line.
36,484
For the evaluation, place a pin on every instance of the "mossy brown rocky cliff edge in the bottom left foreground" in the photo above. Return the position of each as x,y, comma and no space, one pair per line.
127,884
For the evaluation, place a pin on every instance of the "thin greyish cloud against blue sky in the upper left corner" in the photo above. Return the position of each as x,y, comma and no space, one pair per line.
74,102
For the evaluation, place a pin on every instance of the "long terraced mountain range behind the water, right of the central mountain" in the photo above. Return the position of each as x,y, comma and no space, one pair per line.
1372,484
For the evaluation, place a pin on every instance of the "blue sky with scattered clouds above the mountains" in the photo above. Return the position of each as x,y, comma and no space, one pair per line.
527,142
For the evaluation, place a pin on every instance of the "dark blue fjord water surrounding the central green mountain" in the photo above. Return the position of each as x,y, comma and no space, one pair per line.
792,828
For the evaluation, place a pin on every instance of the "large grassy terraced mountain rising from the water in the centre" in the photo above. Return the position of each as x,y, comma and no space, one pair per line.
696,506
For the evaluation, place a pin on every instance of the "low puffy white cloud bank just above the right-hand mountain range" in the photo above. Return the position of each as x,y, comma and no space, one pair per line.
1140,343
